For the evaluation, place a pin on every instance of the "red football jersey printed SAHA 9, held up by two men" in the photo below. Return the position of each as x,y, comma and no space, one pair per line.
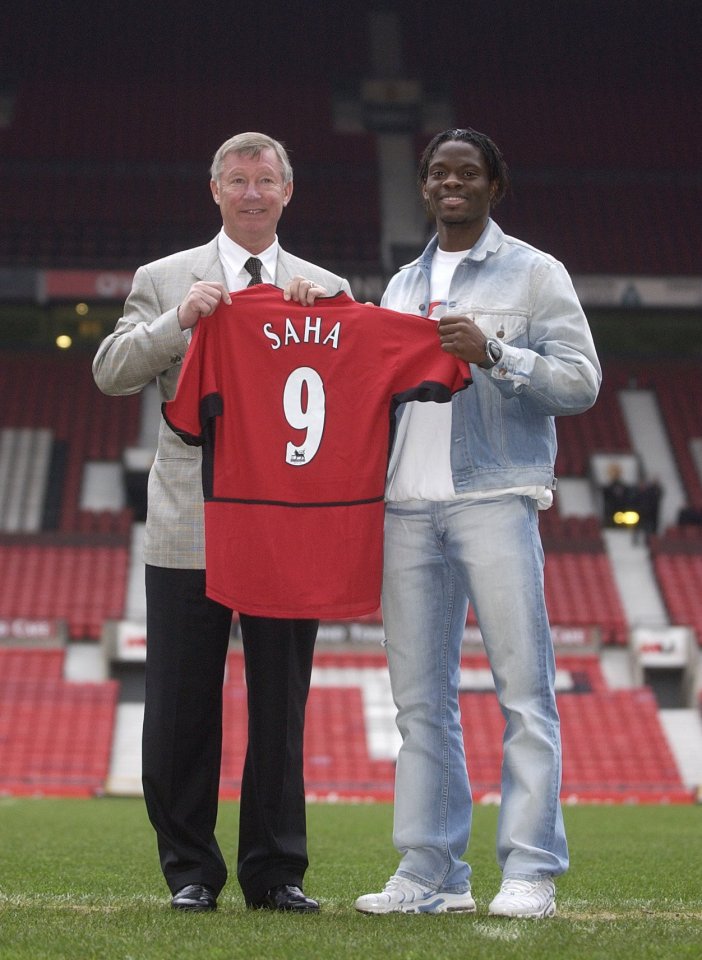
293,408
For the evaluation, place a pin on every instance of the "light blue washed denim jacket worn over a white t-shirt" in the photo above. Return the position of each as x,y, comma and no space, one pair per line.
503,430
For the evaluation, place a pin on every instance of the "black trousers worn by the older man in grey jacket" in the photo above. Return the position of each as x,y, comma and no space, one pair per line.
187,641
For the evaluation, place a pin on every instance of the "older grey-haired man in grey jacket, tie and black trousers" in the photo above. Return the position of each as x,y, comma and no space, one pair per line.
188,633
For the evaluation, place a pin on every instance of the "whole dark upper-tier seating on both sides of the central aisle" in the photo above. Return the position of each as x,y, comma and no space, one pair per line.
149,164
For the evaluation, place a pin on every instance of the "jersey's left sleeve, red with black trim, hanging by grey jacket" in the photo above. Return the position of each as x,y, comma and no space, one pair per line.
197,400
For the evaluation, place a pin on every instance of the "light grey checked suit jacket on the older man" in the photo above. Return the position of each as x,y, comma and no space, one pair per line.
147,344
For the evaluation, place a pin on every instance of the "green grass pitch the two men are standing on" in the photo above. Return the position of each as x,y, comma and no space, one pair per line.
79,879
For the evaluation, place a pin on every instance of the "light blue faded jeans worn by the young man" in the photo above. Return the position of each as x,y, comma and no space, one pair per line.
438,556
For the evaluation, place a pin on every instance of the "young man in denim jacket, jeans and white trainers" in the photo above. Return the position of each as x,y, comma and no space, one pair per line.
465,485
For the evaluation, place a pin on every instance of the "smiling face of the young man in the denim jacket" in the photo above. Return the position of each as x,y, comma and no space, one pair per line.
458,192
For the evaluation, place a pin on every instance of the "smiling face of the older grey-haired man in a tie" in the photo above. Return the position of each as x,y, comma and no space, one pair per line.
251,194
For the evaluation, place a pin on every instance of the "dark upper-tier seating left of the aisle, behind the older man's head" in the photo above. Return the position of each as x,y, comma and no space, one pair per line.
158,198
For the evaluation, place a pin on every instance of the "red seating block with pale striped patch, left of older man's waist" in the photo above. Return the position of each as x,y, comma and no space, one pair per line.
57,561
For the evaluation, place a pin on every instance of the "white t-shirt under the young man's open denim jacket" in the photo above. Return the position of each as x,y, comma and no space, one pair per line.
420,465
